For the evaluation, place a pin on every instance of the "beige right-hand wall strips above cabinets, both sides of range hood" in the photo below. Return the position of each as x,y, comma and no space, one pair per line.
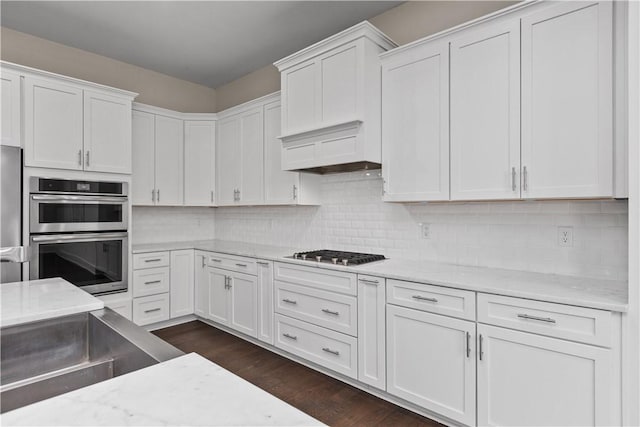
405,23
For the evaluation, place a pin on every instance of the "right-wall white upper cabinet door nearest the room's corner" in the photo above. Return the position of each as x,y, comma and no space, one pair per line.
229,160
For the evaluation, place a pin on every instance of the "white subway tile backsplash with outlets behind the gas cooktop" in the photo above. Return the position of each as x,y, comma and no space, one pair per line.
512,235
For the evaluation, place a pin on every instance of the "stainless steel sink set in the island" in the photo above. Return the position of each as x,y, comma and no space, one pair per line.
50,357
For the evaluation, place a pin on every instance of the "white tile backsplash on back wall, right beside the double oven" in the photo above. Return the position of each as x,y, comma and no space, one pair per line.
171,224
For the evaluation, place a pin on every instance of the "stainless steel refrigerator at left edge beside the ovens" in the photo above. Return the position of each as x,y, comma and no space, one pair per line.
12,253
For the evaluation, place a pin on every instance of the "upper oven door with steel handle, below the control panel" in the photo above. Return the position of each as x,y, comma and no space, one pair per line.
51,213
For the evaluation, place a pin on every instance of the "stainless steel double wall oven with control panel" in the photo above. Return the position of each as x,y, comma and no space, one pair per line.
78,231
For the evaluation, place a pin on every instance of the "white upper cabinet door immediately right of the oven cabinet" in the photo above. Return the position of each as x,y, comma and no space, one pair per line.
143,173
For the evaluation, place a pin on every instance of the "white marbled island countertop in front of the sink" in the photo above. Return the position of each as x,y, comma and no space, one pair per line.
188,390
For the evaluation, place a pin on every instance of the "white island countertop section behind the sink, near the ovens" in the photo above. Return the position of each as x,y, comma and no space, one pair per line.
33,300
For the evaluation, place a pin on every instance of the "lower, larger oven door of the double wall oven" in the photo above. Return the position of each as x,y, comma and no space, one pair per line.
95,262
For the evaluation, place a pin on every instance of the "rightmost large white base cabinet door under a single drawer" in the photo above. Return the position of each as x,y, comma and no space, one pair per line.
525,379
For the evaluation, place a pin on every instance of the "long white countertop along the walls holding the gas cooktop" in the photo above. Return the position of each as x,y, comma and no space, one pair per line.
579,291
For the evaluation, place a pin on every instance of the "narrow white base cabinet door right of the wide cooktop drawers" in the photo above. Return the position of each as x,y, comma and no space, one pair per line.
371,337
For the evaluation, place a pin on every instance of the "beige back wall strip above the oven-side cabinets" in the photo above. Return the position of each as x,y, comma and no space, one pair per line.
154,88
